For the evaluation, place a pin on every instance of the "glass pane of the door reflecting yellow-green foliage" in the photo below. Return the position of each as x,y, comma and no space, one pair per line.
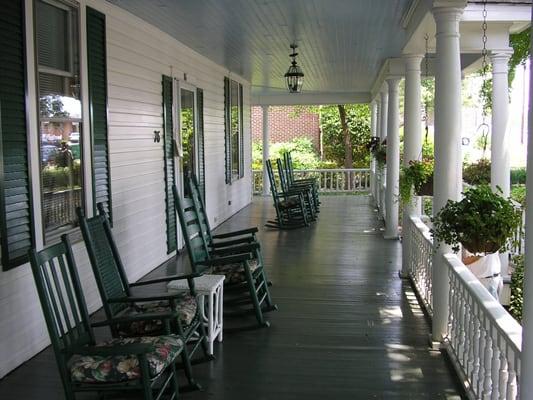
188,137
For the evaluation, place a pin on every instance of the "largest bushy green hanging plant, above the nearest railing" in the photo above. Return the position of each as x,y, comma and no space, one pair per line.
483,222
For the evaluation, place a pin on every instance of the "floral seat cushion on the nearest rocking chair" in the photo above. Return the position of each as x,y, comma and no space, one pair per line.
121,368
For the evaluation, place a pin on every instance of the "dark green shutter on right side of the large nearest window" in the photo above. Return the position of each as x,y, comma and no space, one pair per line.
97,65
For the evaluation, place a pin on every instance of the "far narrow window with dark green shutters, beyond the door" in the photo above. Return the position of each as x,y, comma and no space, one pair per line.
234,131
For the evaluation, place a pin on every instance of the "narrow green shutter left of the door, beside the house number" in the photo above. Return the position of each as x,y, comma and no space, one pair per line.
168,147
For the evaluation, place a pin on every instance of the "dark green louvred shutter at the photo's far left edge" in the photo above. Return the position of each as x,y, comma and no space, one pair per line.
16,225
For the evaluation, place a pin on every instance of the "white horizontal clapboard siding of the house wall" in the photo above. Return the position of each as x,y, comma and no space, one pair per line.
138,55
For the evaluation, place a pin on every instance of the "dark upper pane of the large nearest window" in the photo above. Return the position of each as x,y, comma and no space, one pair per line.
52,36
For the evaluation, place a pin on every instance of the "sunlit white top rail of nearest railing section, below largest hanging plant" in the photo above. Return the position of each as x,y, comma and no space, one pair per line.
506,325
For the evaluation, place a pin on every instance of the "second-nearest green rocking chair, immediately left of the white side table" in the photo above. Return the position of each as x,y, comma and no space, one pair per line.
118,299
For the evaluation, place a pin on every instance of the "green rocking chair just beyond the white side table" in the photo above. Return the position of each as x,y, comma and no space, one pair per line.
245,279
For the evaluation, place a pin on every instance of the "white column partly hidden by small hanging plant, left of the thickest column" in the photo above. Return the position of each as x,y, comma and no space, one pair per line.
412,143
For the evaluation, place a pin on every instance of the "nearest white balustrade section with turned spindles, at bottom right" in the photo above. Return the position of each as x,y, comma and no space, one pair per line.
484,341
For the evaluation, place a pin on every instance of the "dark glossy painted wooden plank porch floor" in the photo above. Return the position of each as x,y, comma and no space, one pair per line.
347,326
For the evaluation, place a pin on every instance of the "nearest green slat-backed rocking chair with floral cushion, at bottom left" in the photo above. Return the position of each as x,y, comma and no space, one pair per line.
145,364
